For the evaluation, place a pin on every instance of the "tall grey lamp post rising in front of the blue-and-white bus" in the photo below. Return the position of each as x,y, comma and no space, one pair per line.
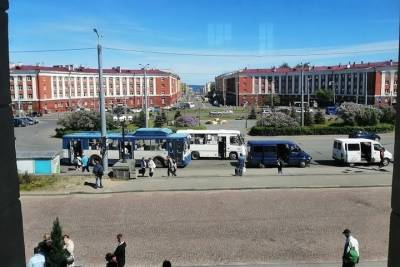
104,151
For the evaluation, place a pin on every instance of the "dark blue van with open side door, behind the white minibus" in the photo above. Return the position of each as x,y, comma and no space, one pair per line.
266,152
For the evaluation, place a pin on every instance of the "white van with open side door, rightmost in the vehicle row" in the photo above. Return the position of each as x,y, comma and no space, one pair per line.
359,150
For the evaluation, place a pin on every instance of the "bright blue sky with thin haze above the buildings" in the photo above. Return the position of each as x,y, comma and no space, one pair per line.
219,35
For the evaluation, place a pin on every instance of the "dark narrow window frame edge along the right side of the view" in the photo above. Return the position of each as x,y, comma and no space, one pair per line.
394,235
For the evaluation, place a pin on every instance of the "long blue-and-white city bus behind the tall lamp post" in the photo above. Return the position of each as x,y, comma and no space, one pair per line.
155,143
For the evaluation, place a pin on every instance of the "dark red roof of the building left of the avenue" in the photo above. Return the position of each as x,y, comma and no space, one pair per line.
67,69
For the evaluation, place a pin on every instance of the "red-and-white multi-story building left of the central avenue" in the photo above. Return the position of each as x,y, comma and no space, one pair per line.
62,88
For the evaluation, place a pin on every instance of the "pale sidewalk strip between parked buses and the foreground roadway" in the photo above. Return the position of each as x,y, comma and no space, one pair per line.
201,180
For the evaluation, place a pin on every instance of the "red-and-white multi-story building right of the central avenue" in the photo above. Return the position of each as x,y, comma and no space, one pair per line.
347,82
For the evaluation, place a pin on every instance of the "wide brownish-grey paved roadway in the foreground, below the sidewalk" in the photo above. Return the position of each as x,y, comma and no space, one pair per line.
213,228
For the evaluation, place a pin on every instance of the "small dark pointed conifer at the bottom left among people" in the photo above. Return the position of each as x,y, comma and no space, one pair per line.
57,257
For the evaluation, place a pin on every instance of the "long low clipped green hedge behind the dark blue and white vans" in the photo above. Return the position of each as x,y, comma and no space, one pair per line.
318,130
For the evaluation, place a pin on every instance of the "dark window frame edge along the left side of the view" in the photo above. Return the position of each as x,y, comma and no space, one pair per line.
11,229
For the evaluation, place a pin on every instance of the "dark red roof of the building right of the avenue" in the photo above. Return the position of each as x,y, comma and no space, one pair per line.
350,65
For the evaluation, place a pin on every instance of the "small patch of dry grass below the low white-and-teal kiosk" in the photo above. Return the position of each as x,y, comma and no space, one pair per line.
30,182
